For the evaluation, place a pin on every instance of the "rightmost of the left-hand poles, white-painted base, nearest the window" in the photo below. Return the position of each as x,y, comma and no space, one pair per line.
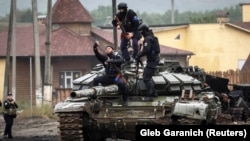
47,77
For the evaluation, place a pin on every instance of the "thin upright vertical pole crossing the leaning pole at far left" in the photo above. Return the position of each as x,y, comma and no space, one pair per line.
14,52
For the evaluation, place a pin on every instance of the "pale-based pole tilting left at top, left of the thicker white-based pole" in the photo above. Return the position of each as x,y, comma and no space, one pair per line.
37,55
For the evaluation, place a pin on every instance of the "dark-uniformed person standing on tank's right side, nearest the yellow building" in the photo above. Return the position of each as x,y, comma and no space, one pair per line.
152,60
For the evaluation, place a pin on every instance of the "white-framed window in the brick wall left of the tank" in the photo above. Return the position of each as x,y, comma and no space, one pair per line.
67,77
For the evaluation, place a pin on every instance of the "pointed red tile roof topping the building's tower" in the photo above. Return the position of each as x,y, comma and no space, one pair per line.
70,11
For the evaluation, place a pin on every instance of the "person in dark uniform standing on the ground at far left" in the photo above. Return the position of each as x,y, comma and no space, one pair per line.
9,113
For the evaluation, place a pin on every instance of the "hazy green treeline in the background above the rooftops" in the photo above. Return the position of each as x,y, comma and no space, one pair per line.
103,16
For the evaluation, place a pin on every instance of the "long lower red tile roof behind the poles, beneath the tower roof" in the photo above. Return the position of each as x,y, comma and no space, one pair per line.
63,42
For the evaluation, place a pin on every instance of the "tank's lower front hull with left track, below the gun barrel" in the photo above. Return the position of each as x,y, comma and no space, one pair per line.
95,120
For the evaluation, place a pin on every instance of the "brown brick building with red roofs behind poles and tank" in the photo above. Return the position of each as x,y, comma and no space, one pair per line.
72,55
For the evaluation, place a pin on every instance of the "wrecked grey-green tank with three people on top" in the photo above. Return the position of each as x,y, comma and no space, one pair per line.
97,113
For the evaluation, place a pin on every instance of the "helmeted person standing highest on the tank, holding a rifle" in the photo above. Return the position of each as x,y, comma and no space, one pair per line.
127,19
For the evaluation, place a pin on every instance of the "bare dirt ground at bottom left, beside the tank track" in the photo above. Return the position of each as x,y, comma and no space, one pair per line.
32,129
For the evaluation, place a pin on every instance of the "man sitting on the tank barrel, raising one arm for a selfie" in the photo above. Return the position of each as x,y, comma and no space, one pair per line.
112,63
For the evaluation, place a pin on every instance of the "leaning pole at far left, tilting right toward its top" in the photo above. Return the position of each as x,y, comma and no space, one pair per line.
9,43
